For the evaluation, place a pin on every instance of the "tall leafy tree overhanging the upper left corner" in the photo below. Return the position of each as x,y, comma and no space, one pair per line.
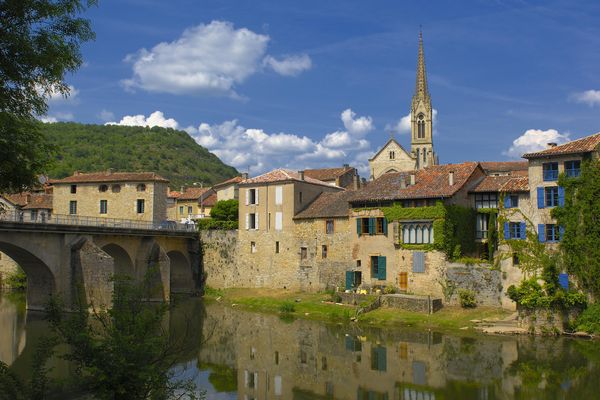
39,44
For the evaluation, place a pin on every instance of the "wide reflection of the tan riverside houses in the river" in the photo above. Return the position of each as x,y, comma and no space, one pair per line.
307,360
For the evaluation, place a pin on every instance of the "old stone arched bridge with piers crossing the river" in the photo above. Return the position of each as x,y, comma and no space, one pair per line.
70,260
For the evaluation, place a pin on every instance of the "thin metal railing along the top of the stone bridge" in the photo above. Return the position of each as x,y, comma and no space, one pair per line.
27,217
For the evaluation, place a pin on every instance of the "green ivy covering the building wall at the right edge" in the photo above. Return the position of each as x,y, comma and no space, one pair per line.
580,218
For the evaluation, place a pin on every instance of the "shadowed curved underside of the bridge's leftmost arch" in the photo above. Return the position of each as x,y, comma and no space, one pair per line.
40,279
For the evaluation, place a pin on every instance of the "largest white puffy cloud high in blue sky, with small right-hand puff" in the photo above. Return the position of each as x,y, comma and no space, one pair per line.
207,59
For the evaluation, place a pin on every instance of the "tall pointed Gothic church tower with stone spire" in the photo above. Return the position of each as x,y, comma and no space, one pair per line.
421,116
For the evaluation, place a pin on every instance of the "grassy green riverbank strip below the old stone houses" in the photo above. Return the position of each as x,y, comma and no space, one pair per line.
317,306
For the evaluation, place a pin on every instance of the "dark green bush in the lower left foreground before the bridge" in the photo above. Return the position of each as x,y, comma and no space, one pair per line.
122,352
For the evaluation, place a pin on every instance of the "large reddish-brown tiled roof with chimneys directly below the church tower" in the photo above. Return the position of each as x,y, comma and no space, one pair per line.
431,182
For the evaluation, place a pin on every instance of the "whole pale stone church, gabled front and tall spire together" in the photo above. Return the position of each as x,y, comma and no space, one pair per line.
392,157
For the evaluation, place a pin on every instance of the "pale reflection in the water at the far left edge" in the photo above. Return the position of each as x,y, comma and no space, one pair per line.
12,340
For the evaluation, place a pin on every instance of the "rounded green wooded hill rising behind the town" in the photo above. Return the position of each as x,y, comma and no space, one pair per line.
170,153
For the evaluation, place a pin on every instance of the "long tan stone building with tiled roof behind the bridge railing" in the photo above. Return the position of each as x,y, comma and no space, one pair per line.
139,196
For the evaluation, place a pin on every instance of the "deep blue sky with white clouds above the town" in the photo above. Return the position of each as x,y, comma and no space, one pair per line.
312,84
